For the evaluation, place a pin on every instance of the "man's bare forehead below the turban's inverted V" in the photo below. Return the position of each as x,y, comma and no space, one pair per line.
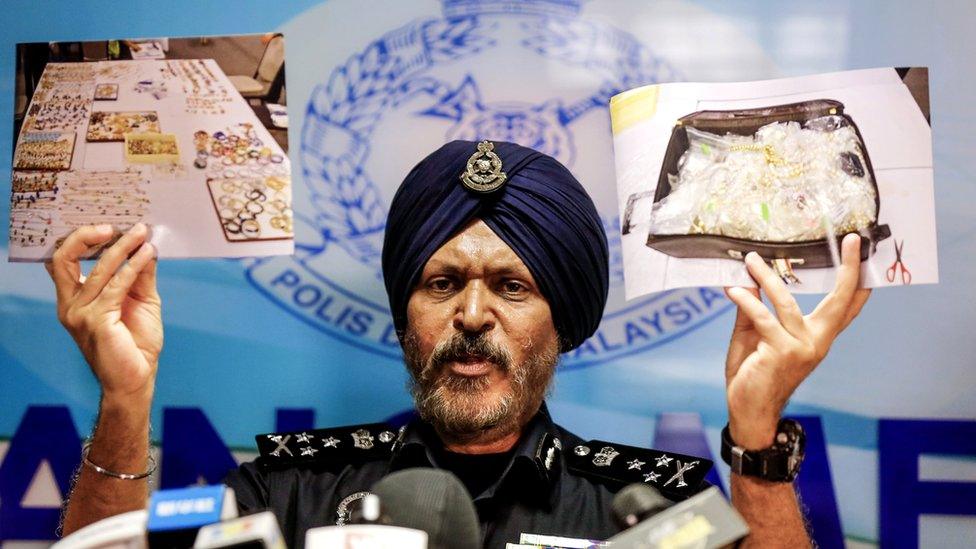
476,246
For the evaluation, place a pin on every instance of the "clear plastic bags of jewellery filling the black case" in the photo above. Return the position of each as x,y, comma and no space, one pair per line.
786,183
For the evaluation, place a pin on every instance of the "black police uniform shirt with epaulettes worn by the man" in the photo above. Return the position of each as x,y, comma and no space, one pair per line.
551,483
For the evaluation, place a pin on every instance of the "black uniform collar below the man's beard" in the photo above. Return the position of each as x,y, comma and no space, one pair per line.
533,469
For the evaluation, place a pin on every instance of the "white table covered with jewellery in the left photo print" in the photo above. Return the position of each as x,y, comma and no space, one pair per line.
168,143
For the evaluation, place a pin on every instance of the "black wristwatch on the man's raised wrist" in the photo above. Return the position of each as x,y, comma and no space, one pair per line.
778,463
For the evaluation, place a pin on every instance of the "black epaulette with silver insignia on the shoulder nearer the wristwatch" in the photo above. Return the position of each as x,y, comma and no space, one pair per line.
675,475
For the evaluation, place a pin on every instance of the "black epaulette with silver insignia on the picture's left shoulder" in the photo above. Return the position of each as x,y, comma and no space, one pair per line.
333,446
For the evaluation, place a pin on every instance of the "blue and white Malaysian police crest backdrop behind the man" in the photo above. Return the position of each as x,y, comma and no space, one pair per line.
255,345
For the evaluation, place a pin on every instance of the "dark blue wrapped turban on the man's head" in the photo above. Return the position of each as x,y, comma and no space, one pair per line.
541,212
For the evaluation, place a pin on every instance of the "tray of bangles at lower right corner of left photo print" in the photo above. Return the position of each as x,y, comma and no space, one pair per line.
257,208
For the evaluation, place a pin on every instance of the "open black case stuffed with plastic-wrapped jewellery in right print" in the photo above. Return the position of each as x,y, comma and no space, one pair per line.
777,180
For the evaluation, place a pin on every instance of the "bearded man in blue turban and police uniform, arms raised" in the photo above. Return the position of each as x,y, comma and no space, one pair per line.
495,262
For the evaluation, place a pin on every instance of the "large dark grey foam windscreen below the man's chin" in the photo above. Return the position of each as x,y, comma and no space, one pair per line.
431,500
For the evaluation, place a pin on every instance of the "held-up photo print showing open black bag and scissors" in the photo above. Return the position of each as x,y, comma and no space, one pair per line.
715,172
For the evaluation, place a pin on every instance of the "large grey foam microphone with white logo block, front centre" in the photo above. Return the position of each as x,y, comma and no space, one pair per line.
417,508
